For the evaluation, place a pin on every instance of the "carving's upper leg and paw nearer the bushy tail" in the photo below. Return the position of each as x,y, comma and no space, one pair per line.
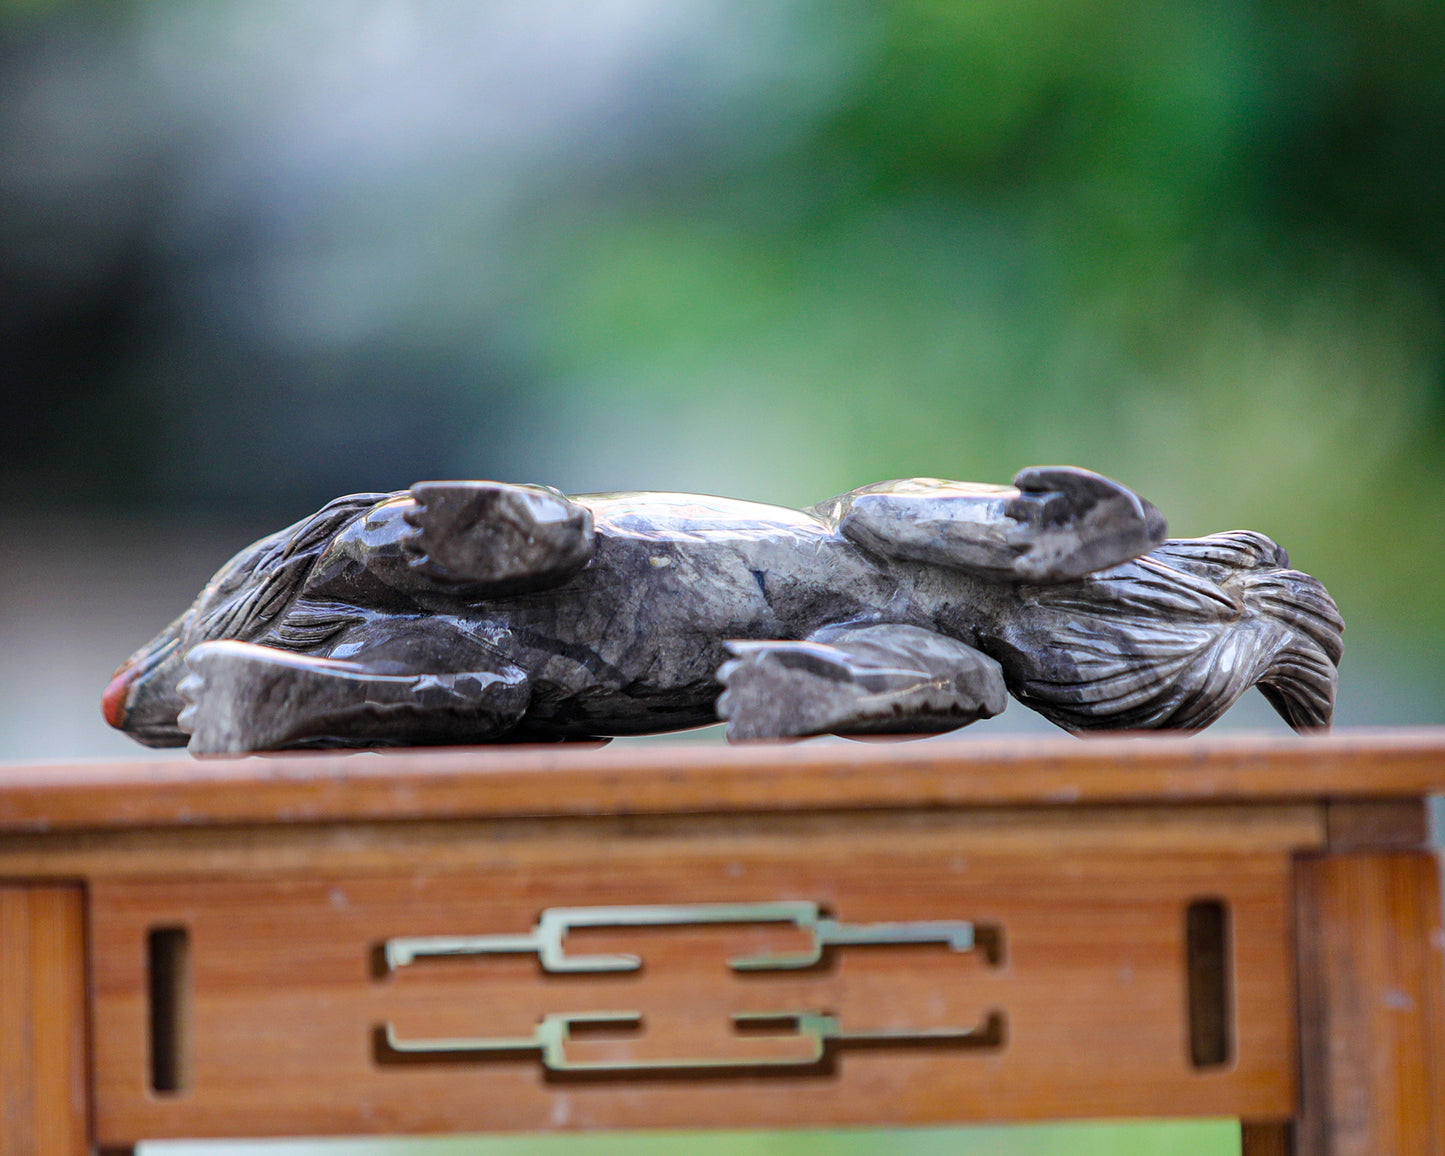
1056,524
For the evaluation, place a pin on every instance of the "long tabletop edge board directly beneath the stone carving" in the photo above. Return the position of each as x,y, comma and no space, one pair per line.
660,780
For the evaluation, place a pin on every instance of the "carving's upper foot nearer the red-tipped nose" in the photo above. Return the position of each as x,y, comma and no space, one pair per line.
502,540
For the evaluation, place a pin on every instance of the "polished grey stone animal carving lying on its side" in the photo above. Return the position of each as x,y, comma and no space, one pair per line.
476,612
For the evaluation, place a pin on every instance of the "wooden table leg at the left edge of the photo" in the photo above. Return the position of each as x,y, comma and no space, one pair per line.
44,1103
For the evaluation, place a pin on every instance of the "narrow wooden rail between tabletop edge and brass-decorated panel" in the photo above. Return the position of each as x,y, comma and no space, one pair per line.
505,845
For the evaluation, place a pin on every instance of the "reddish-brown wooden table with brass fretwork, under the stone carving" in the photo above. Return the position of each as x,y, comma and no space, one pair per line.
697,937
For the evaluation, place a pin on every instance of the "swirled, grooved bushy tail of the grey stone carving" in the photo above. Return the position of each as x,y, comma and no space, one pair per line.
1174,638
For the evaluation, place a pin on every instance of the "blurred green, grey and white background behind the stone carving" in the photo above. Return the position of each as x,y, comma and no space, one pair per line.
256,254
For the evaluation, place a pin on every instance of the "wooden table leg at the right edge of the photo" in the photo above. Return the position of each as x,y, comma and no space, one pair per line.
1372,1017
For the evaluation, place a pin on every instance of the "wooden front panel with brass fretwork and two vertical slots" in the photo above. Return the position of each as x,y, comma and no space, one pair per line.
1079,988
